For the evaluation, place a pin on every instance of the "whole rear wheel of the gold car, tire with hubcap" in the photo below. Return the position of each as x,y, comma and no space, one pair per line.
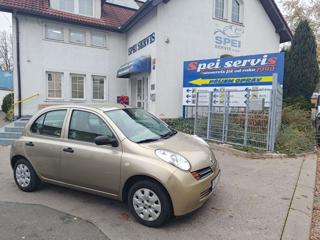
25,176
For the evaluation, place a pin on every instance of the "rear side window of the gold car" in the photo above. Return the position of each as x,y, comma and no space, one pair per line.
49,124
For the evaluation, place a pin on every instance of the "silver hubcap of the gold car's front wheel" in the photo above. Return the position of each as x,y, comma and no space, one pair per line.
146,204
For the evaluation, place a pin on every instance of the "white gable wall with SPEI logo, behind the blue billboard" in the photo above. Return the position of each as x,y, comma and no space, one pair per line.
190,27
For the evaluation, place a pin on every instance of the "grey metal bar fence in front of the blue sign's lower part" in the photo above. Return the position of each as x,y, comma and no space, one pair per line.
249,117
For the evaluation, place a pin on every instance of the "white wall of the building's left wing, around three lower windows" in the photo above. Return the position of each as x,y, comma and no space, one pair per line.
39,55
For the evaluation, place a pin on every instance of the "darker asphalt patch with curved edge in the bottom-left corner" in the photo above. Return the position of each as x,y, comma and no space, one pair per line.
34,222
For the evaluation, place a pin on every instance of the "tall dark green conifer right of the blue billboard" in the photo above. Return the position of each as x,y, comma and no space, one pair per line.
301,69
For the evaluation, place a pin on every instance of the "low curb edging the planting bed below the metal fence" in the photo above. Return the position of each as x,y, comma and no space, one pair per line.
253,155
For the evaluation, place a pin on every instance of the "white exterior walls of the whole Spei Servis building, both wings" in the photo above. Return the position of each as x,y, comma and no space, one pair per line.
184,31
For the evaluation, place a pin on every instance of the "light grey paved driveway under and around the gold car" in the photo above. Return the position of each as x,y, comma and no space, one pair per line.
251,202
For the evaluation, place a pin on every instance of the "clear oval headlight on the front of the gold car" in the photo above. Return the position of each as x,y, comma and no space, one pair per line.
173,158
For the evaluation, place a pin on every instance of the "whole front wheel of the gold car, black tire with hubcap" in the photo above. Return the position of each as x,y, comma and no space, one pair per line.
149,203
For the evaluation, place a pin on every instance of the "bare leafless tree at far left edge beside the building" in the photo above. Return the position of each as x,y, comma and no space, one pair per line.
6,61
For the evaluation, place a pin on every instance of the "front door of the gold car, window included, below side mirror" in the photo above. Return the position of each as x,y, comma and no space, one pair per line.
85,164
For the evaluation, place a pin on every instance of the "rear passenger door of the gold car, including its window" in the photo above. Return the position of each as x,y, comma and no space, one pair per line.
43,143
